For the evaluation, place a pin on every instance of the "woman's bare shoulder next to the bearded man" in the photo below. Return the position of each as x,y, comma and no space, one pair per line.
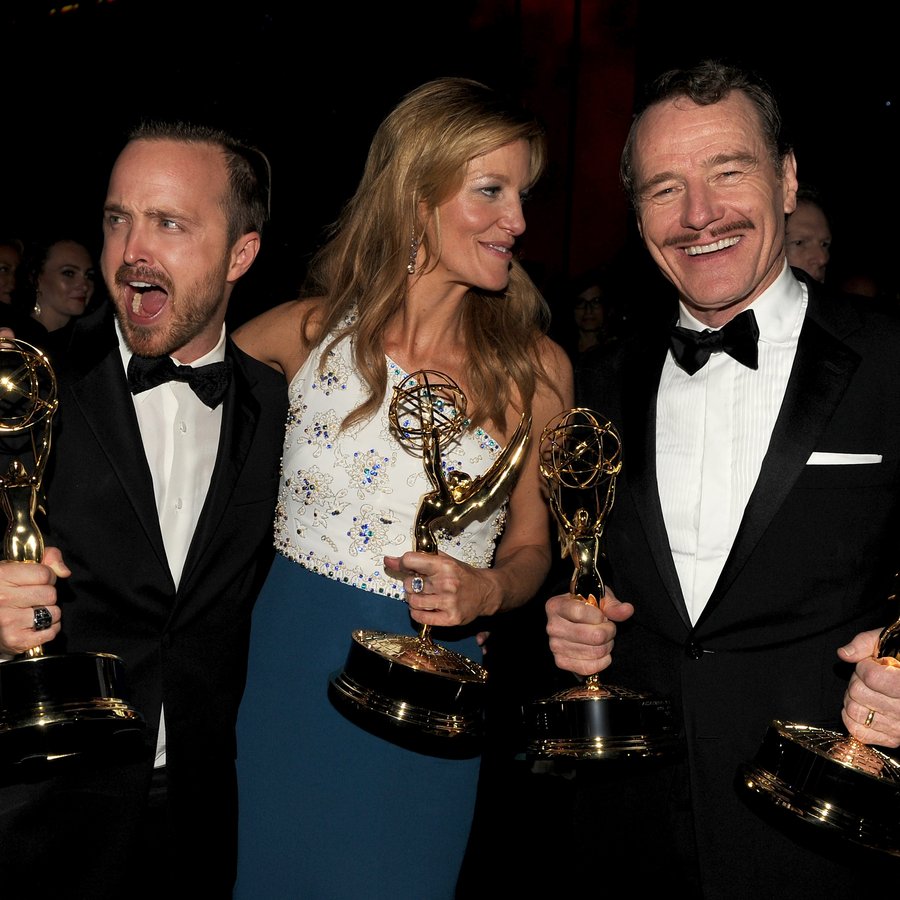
282,336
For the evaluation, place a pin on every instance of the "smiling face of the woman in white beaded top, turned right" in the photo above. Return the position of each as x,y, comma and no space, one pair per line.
480,224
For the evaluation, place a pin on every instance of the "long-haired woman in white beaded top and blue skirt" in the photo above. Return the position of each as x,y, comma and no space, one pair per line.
419,273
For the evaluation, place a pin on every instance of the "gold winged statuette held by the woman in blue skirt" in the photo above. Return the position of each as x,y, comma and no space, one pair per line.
408,687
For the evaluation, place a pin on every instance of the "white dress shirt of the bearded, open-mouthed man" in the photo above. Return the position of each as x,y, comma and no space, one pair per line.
181,439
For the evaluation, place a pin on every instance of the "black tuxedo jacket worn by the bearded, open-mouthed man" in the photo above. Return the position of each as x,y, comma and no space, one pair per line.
185,648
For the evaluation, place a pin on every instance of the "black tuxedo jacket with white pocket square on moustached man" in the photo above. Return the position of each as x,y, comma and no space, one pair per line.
811,566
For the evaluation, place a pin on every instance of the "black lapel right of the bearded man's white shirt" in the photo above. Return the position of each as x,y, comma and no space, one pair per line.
240,414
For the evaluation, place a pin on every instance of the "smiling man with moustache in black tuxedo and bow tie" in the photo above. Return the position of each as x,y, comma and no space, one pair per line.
753,540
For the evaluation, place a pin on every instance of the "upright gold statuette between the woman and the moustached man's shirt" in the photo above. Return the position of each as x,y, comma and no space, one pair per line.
581,456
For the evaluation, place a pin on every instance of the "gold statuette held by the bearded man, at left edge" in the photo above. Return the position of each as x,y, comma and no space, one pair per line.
55,706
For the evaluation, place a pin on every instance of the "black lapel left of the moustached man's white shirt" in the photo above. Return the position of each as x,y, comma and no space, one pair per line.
641,389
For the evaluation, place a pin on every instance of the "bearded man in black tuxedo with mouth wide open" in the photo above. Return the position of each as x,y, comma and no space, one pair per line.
160,499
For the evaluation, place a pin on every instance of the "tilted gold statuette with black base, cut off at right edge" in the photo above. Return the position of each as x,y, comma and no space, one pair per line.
831,780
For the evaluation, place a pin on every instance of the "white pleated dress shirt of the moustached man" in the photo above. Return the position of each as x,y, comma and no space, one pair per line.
712,432
